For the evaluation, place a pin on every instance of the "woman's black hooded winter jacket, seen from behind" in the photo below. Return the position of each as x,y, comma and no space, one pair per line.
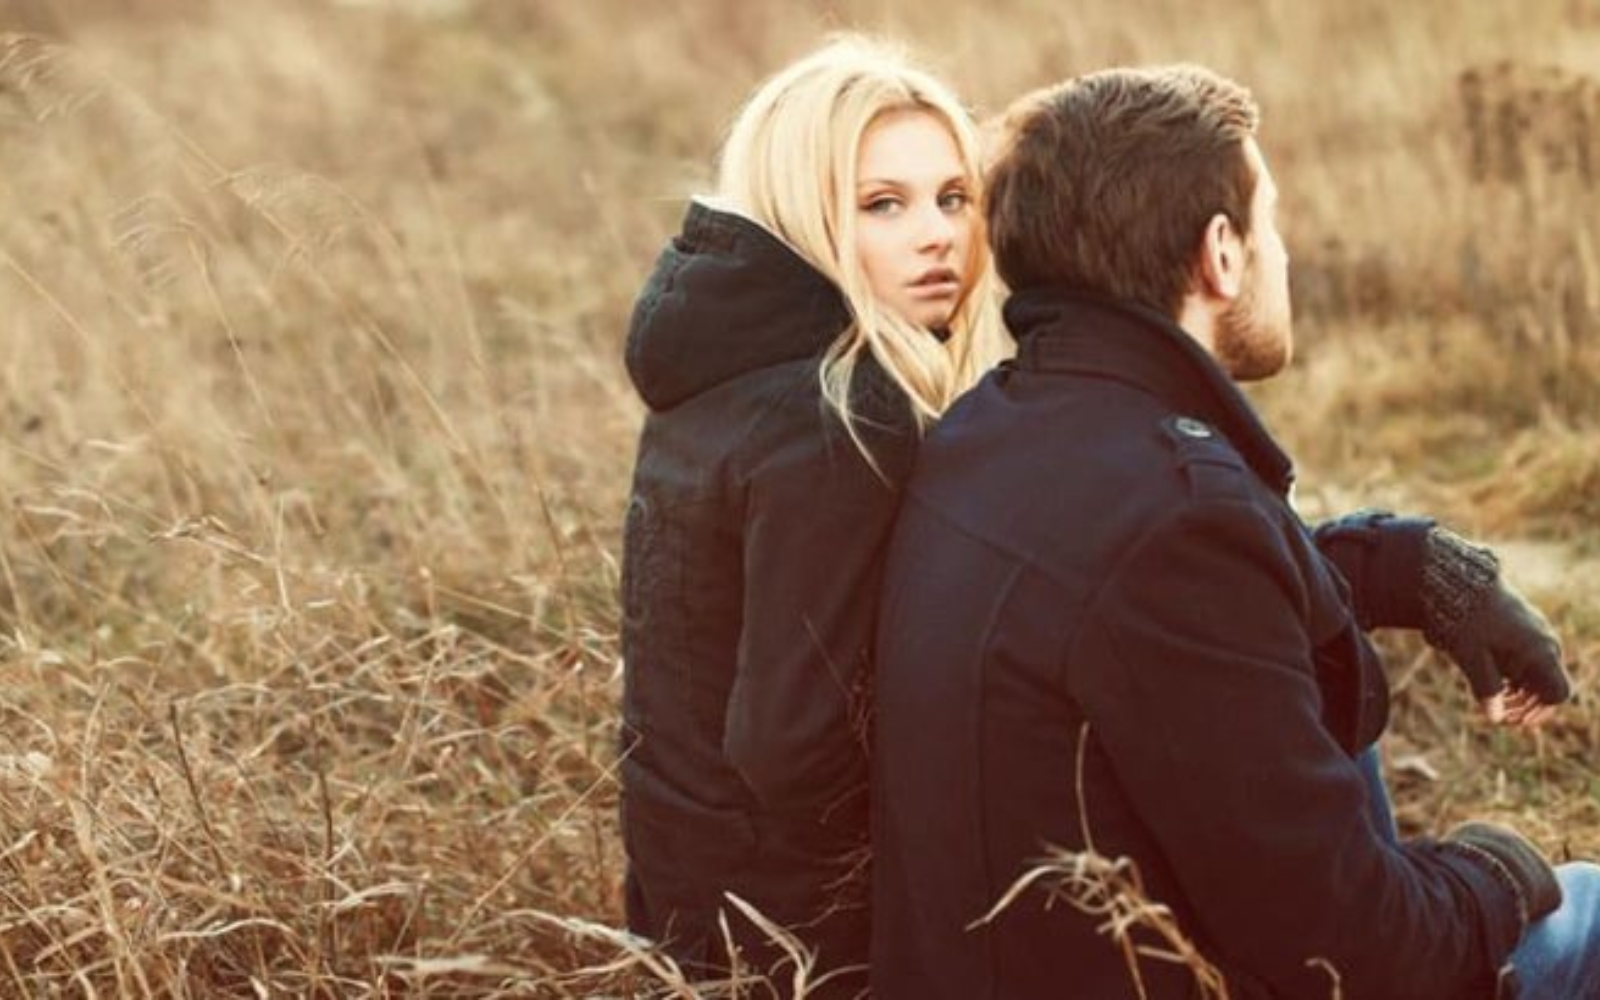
751,572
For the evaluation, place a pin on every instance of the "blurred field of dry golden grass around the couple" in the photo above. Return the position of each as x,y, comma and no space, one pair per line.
314,434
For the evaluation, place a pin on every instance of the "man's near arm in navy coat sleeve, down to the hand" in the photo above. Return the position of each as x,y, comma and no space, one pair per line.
1201,686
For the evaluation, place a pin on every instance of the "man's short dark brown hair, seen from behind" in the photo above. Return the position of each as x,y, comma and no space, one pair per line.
1106,183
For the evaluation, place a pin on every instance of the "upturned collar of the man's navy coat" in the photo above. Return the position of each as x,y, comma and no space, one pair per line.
1071,332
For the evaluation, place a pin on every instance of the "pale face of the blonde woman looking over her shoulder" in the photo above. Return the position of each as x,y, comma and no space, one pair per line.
916,220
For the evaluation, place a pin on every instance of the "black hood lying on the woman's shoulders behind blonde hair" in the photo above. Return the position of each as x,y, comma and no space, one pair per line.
726,298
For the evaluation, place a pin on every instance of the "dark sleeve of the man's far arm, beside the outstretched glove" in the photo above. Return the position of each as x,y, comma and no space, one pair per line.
1382,559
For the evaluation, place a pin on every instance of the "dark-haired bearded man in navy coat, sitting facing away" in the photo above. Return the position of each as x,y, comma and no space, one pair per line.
1106,631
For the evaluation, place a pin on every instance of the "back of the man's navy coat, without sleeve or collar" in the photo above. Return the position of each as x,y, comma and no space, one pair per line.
972,708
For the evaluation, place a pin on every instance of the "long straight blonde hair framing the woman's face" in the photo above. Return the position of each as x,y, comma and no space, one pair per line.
790,164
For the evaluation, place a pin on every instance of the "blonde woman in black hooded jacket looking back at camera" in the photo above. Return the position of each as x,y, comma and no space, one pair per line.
791,345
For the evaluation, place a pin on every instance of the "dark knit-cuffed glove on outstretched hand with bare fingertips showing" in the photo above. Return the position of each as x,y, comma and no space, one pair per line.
1495,636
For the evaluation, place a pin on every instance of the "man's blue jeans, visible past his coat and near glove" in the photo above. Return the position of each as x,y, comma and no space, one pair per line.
1559,958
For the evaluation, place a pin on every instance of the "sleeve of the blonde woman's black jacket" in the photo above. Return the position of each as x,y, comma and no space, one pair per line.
817,524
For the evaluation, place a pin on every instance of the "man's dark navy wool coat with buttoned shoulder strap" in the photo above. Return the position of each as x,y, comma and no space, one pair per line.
1105,628
